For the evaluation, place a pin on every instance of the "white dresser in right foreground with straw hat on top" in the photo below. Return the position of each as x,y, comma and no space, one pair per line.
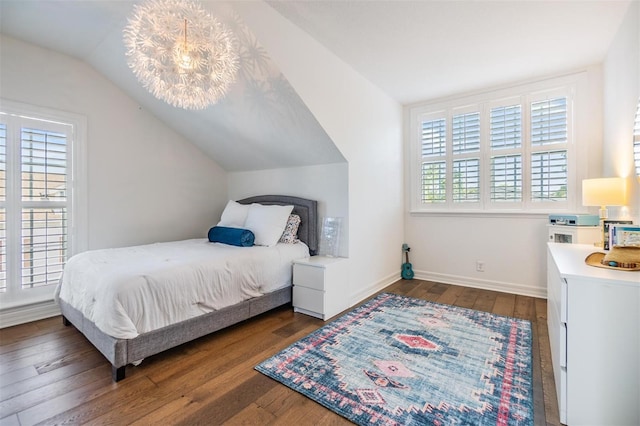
593,316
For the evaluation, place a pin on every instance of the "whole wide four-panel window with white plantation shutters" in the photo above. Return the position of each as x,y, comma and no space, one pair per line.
507,150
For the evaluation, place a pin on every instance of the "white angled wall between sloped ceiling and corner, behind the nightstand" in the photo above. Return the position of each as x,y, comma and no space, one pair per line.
366,126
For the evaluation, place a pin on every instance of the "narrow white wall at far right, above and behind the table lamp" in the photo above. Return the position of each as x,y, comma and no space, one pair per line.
621,93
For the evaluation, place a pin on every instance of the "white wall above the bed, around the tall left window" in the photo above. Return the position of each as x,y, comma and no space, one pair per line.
145,182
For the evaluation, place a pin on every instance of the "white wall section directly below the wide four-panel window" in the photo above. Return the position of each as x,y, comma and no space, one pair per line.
446,249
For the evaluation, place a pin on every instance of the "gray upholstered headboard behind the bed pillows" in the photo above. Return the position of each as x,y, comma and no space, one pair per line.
306,209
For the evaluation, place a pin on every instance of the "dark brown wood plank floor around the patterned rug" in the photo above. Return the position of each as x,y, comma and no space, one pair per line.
50,374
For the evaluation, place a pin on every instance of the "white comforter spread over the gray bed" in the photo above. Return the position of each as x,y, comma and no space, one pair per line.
133,290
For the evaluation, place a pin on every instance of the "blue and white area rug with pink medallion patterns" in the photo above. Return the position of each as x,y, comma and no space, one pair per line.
406,361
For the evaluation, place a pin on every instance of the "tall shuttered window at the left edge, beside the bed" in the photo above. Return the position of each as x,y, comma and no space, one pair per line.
37,208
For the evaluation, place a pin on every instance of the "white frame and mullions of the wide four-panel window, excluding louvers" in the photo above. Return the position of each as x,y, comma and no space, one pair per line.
524,95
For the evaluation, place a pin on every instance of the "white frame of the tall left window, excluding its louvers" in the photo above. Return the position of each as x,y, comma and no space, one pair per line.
14,114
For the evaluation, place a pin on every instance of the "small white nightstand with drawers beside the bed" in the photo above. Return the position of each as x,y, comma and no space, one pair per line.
320,286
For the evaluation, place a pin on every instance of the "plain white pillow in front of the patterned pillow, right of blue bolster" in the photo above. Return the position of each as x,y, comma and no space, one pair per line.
267,223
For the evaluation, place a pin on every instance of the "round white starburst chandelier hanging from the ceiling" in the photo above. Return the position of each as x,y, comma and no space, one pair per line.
180,53
